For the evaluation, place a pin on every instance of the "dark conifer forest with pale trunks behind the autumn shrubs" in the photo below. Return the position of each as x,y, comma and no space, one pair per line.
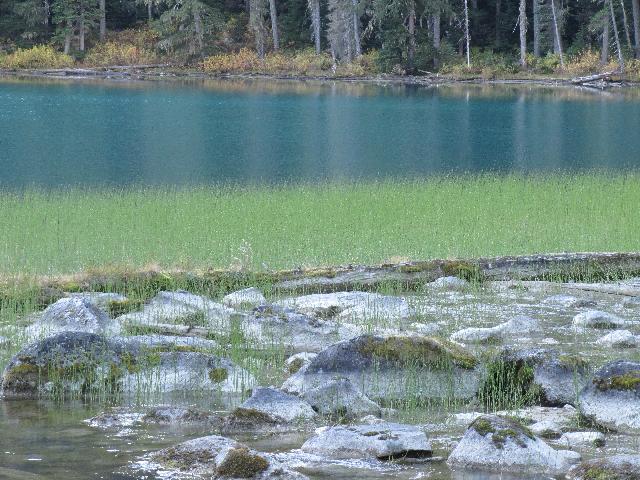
413,35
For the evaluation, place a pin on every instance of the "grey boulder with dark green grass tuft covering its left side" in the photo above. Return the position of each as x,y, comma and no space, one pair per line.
534,376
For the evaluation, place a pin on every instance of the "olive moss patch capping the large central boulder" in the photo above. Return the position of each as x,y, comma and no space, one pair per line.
417,351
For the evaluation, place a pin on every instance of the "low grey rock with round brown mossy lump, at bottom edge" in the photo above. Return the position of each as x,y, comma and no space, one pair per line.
220,457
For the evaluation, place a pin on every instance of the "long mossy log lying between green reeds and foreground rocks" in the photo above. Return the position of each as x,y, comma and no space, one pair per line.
563,267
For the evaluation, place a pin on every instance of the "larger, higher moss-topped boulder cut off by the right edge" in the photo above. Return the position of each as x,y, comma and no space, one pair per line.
612,400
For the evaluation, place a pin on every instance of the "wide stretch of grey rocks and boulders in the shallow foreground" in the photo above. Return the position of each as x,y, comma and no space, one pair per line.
532,378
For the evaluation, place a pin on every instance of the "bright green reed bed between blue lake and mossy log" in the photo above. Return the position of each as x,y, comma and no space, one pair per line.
289,226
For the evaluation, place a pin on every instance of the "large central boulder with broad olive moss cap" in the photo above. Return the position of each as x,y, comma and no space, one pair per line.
393,368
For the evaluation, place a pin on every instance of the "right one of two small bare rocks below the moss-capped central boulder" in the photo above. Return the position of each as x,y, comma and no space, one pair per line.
341,399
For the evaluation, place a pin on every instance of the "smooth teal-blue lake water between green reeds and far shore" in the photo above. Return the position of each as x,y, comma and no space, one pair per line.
94,133
